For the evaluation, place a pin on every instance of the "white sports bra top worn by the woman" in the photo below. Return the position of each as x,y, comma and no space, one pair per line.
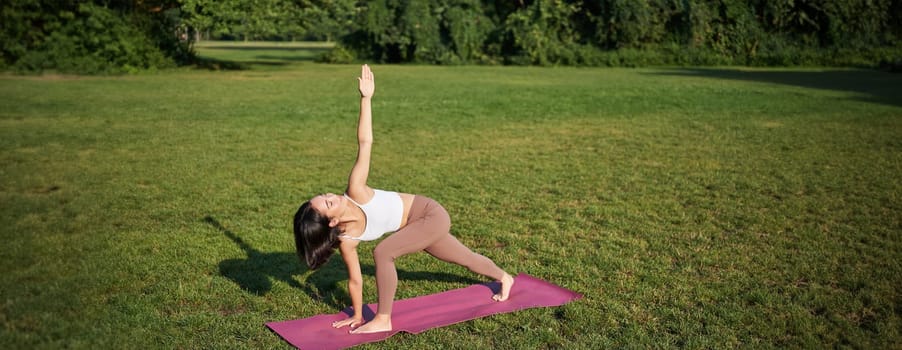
383,214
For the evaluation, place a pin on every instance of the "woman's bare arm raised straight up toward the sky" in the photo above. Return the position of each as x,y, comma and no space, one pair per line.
357,187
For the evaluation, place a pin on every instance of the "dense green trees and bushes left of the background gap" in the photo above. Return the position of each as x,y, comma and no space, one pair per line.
91,37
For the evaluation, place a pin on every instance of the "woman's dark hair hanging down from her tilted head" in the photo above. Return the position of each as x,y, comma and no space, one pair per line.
314,239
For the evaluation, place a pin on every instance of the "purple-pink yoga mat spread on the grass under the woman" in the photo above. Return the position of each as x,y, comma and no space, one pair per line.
418,314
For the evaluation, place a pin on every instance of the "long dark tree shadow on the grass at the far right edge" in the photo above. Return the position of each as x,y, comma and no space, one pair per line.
872,86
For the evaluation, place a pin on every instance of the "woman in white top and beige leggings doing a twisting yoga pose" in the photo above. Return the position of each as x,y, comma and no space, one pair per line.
417,223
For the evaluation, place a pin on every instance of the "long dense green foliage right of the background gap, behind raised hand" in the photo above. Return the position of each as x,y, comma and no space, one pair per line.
629,32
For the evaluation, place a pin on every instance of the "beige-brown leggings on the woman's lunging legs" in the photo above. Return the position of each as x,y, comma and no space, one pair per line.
428,228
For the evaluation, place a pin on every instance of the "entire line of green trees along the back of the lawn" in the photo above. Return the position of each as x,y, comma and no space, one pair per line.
123,35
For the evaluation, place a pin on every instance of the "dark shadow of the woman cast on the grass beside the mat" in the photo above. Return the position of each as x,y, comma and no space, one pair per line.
256,272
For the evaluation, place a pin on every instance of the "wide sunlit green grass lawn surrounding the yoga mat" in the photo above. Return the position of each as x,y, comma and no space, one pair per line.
696,208
